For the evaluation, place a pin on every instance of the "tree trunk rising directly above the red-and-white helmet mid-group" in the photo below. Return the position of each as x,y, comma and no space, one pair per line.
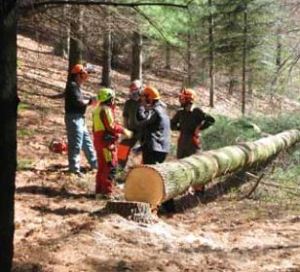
137,60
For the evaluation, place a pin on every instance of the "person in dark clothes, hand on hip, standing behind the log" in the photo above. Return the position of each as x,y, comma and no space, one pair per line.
190,120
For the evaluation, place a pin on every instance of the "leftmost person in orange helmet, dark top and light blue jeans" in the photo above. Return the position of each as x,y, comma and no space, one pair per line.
77,133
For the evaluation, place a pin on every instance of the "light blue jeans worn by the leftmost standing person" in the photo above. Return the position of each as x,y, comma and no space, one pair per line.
79,138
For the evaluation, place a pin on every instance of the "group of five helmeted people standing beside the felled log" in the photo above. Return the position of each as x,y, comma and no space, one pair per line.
145,120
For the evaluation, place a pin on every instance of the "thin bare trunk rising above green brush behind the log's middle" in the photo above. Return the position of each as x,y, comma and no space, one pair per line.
244,83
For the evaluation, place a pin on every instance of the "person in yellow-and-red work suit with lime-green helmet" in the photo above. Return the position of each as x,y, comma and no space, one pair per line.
106,132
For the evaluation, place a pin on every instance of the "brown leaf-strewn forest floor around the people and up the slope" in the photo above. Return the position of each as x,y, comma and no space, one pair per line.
58,227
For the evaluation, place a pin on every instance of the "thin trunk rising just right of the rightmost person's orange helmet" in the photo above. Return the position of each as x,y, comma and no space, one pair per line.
211,56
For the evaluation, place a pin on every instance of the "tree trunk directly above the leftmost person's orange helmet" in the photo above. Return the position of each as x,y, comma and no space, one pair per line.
75,53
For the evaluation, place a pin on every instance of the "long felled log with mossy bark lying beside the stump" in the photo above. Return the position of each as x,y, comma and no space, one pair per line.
155,184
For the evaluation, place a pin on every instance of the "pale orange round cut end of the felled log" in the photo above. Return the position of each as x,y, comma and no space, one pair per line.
144,184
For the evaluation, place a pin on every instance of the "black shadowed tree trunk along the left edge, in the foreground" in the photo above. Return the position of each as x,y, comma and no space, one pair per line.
8,117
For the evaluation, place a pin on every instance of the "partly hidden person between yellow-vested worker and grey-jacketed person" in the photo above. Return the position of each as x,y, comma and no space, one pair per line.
130,113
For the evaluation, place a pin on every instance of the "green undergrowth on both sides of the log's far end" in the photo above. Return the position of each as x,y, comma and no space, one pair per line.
285,173
